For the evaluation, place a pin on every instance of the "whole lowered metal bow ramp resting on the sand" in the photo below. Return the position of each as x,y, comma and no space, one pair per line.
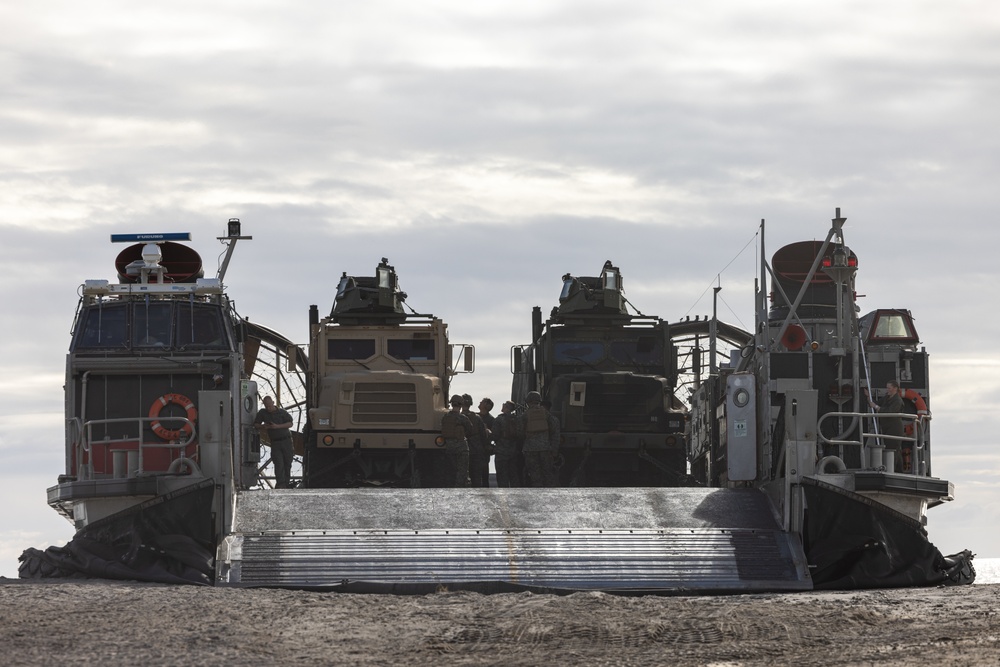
635,540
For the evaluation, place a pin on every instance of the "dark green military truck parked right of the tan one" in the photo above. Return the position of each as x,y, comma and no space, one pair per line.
610,377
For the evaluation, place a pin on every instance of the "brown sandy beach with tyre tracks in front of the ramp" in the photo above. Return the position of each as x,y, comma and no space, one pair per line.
118,623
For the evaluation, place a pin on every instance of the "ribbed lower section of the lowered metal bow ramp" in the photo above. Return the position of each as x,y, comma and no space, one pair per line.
669,559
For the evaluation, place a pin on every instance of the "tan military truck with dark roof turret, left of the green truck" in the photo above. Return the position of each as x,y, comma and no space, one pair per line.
378,386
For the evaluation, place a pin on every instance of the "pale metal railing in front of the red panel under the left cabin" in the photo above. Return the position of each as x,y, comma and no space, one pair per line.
84,444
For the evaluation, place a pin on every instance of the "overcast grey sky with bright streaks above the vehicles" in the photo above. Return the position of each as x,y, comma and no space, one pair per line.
487,148
